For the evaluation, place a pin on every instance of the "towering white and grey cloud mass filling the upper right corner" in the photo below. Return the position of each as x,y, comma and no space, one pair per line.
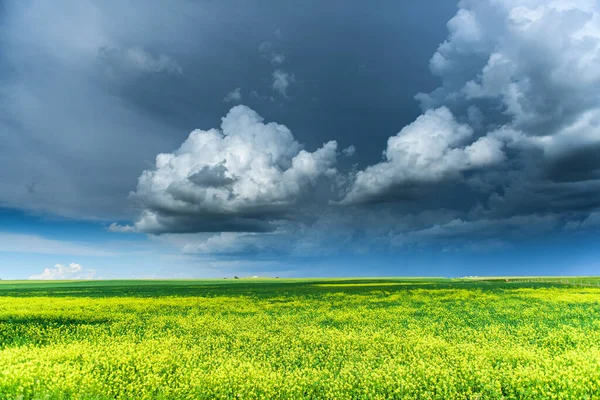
516,117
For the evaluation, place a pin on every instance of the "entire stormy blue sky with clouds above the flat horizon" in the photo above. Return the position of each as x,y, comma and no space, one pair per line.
208,139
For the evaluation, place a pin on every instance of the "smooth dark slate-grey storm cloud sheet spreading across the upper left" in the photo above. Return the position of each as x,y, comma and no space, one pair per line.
92,91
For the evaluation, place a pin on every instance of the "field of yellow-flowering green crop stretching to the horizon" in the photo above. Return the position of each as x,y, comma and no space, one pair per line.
353,338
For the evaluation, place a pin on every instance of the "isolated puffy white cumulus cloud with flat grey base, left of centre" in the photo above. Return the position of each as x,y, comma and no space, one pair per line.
240,178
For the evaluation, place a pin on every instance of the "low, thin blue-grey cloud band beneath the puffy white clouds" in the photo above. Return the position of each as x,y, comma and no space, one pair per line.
367,231
